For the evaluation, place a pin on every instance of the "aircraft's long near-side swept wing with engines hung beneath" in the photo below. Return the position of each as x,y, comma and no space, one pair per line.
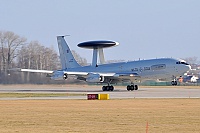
87,76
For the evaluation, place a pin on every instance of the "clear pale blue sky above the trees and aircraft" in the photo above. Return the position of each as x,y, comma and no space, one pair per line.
145,29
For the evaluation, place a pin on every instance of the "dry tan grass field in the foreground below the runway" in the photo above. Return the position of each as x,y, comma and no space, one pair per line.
163,115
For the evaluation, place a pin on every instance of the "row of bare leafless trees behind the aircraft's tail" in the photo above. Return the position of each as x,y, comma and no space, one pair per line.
16,52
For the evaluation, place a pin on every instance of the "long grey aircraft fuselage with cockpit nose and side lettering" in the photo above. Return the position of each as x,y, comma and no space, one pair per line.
164,68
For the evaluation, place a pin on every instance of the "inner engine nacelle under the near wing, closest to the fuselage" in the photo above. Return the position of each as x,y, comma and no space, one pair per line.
94,78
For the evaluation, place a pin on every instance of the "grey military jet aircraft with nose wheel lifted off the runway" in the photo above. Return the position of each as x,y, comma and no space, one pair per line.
168,69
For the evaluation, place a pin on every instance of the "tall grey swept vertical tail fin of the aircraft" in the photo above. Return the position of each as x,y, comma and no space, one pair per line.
66,57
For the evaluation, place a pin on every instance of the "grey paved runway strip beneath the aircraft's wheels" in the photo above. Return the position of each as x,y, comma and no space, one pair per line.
118,93
